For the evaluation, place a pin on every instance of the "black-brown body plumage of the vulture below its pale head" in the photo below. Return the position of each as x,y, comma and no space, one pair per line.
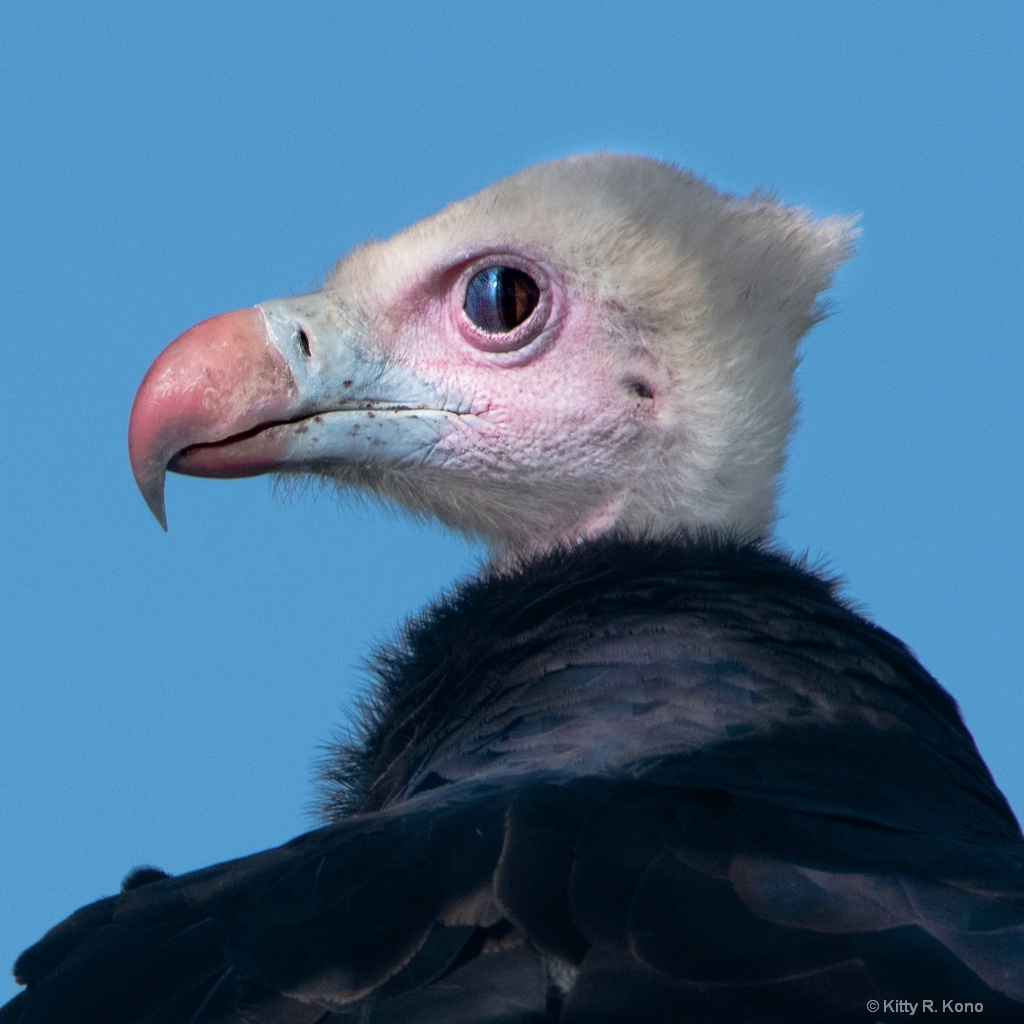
685,771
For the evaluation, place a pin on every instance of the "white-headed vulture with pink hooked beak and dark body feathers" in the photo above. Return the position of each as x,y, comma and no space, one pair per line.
647,766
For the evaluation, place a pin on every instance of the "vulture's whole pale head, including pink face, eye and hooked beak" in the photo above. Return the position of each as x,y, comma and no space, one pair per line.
595,344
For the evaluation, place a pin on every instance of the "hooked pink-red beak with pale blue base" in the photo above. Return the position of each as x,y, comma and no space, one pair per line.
285,386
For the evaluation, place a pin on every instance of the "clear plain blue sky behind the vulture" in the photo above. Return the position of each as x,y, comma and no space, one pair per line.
163,697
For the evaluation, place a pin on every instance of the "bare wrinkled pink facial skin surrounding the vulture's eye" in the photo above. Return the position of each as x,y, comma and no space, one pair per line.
547,399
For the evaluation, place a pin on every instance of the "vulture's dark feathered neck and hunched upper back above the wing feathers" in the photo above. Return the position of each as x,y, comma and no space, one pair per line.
619,655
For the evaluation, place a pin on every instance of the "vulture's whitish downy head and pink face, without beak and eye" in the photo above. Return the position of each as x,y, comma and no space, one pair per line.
681,312
